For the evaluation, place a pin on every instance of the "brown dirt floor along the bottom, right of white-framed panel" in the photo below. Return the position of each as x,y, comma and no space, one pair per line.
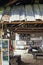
14,62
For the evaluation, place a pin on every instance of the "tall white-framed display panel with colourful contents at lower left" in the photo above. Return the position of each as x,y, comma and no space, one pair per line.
4,52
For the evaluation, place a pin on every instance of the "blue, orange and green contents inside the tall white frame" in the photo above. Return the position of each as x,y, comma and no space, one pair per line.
5,48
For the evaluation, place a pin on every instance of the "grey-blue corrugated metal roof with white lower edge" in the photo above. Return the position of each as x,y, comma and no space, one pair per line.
20,13
